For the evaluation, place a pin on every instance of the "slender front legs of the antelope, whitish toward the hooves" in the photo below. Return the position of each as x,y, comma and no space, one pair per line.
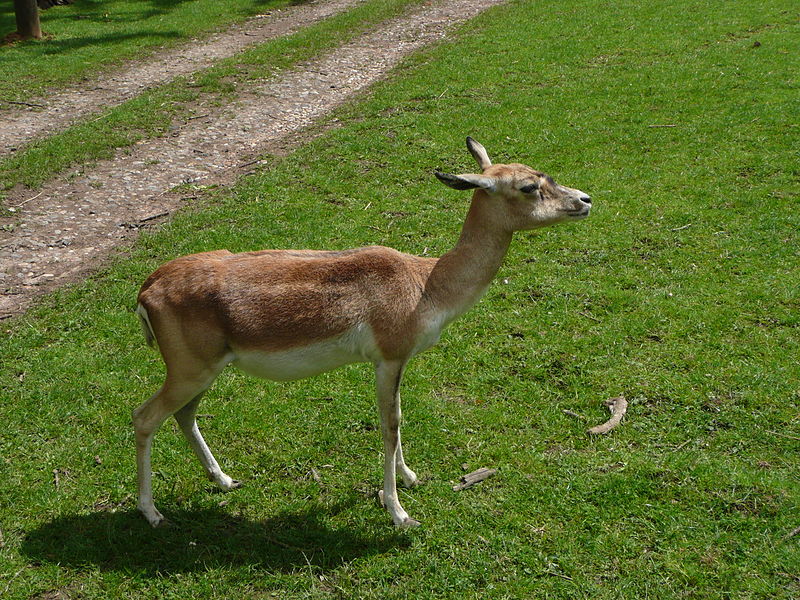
387,377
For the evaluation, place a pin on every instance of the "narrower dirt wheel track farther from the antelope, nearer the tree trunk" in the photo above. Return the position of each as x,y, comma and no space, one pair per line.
20,125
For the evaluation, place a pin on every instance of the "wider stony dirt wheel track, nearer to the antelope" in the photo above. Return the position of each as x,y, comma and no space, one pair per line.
72,224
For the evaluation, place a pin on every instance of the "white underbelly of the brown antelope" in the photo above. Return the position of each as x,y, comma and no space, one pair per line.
305,361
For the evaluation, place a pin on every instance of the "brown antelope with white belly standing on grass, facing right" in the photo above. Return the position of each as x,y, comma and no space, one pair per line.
289,314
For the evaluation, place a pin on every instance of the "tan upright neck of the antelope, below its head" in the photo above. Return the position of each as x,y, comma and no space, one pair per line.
461,276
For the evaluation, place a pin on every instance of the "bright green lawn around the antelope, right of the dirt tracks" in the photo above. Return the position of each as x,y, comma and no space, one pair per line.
680,292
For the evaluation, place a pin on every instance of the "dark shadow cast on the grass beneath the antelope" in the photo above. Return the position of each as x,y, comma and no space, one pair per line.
201,539
